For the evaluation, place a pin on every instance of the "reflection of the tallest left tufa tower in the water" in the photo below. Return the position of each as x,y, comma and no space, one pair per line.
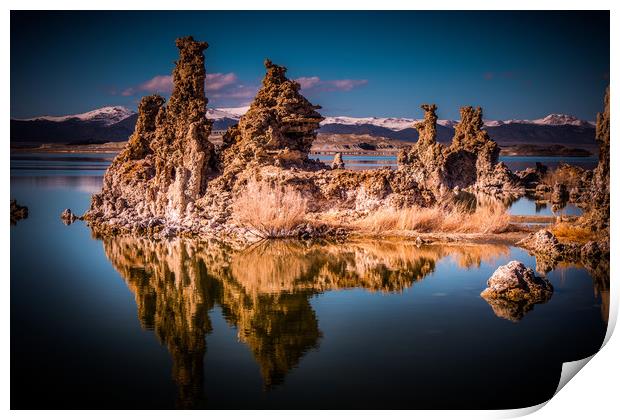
173,297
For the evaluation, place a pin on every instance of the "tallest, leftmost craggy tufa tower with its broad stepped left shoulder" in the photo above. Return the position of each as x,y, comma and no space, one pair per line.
168,159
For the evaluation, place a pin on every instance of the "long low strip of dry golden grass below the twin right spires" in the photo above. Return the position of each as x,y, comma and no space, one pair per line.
493,218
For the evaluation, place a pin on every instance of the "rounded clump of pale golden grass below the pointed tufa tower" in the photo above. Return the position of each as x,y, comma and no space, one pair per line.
270,212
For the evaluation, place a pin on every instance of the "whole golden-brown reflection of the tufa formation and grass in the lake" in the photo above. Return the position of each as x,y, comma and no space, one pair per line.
263,291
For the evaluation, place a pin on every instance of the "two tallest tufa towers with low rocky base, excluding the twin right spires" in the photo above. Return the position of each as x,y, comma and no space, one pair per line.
170,180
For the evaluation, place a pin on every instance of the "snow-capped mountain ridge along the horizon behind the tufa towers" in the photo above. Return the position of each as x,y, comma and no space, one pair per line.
116,123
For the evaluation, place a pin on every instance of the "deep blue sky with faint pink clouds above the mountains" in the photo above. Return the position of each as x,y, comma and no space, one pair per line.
513,64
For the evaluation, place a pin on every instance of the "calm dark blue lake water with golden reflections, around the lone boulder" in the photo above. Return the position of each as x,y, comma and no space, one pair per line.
131,323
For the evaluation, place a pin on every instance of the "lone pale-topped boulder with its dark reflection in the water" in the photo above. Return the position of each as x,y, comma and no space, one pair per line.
513,289
